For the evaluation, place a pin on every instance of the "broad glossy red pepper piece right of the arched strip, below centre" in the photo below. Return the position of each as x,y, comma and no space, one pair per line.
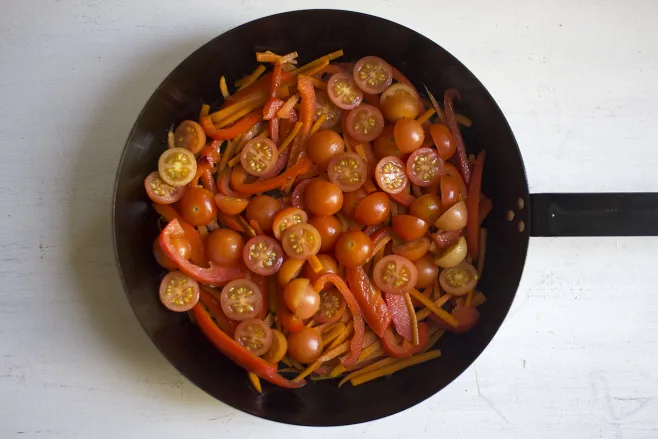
370,300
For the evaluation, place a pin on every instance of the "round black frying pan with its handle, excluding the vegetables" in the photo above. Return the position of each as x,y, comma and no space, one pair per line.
314,33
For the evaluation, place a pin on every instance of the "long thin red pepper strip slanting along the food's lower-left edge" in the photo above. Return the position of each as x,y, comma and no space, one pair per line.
239,354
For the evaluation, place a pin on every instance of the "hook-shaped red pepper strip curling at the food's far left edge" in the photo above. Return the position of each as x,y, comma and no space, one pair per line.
215,275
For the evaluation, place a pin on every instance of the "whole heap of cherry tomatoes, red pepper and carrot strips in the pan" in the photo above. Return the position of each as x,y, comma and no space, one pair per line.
323,222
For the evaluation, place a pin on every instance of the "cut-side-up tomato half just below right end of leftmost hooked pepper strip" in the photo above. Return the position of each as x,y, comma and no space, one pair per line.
241,299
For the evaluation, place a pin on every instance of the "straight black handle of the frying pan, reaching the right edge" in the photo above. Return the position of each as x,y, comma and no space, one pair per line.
602,214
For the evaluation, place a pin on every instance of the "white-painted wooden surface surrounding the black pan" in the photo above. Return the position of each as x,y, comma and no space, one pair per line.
575,359
